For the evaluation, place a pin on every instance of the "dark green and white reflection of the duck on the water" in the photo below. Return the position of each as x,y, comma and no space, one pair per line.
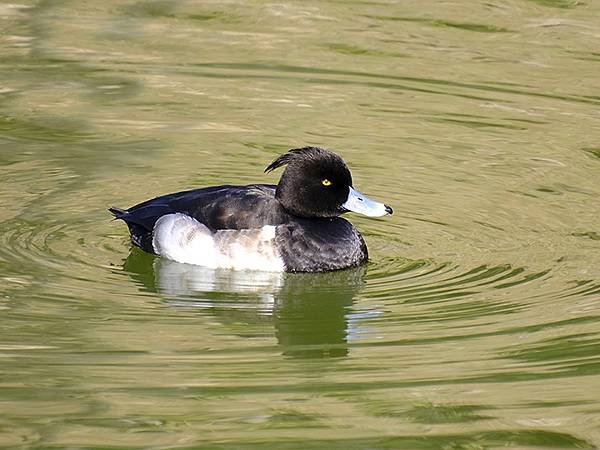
309,311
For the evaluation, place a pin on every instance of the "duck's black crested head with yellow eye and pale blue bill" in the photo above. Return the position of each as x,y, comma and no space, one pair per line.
317,183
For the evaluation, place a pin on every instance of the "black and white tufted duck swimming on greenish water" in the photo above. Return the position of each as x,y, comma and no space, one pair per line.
294,226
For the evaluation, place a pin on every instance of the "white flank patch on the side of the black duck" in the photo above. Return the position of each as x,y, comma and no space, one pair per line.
183,239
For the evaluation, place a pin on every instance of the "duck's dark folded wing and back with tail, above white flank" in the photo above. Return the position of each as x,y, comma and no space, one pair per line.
217,207
